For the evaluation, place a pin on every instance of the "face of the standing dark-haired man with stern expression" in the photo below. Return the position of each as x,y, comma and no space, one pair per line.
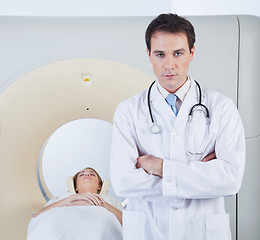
170,57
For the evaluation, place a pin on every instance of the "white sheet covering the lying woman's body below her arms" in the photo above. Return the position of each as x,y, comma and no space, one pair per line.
75,223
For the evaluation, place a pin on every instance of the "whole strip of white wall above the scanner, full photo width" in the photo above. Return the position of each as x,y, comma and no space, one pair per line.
127,7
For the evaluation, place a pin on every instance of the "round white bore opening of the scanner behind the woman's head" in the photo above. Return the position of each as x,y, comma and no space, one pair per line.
75,145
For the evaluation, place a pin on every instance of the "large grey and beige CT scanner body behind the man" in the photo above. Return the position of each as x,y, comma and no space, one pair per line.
42,60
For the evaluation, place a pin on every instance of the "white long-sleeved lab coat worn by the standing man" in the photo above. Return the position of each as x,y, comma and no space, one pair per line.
187,202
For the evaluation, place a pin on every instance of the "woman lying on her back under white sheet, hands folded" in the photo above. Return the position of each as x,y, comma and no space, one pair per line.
84,215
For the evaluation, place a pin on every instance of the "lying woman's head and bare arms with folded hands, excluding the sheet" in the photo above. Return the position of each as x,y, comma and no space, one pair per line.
87,185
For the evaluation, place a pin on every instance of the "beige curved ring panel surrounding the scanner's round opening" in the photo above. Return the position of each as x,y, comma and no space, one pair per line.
34,106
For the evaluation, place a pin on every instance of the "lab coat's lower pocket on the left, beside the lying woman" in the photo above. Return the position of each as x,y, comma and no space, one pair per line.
133,225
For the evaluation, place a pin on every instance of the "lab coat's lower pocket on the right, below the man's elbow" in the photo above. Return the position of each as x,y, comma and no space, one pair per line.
217,227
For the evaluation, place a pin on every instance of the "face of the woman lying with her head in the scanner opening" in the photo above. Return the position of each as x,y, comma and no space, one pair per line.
87,181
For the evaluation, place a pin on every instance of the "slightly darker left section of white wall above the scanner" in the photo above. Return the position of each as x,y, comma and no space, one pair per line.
84,7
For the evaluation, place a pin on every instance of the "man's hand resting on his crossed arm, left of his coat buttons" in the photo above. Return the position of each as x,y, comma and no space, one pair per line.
150,164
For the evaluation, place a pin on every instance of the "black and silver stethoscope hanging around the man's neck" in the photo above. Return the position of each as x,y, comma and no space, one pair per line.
197,107
